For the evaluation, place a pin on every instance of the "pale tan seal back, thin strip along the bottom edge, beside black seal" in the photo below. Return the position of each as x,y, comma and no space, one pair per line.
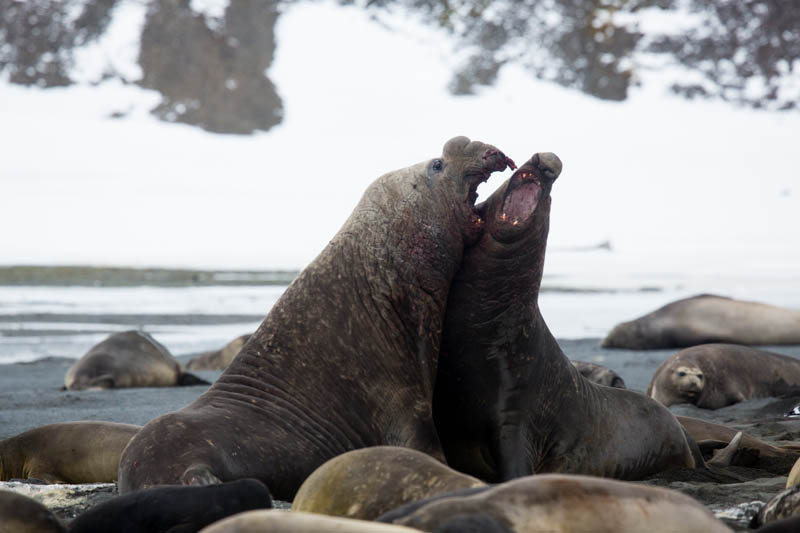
299,522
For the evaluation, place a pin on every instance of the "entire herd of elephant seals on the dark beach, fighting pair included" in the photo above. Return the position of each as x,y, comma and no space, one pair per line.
406,380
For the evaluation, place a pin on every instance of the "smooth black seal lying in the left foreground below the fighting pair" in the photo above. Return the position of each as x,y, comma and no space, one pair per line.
173,508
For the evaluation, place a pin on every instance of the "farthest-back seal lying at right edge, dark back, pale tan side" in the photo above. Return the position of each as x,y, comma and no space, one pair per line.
707,318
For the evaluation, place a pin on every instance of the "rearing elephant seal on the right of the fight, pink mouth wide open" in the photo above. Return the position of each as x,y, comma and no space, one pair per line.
507,401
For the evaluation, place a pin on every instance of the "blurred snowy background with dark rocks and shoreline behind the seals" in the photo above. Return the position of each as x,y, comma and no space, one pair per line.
185,158
